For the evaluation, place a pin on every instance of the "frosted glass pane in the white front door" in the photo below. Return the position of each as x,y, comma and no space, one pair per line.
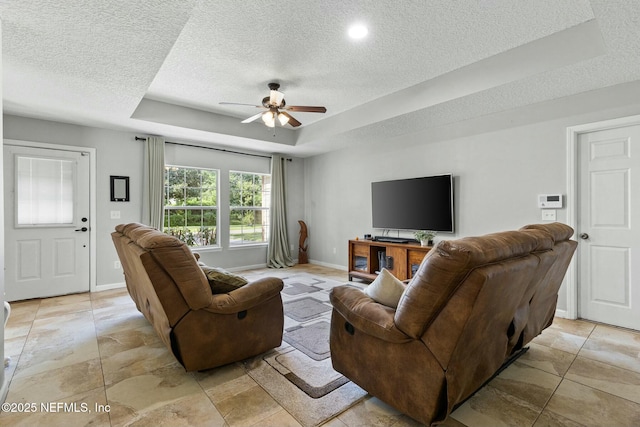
44,191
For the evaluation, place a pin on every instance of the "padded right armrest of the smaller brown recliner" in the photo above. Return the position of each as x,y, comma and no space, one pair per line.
250,295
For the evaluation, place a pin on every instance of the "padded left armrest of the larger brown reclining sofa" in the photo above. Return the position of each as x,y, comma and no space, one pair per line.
366,315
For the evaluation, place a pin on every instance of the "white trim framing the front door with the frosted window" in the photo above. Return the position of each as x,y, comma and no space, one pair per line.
92,195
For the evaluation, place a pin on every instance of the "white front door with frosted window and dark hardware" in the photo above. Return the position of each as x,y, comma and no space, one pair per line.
46,222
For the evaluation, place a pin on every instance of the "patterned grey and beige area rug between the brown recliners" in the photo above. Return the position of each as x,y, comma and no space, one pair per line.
298,374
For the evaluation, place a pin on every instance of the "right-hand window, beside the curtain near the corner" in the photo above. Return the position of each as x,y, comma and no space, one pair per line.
250,197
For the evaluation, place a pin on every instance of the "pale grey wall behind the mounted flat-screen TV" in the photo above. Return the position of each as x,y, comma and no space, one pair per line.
498,175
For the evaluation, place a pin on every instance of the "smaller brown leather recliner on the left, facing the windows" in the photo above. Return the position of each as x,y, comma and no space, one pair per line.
201,329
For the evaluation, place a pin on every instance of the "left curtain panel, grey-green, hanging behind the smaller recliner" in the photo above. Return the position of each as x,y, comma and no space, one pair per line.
153,194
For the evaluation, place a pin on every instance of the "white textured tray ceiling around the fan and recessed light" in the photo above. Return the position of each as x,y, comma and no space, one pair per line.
163,67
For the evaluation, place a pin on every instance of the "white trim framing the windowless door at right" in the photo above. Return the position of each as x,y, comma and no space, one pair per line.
573,135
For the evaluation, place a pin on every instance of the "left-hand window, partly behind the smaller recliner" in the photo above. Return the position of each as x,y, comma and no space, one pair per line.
191,205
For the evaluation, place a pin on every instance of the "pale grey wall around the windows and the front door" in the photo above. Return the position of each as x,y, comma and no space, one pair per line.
118,153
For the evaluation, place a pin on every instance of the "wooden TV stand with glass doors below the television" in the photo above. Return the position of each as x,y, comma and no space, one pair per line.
364,262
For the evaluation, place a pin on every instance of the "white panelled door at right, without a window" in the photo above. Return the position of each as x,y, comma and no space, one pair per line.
609,226
